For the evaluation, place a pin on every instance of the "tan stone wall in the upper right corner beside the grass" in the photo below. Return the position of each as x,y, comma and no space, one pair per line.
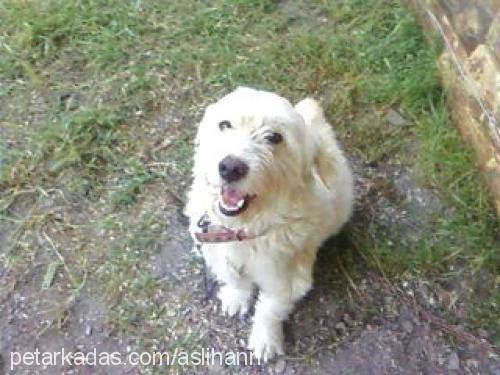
470,67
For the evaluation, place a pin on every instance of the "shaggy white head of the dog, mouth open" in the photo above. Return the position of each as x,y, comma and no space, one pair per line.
253,151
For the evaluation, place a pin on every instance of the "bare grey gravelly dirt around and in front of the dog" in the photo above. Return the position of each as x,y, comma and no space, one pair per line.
376,328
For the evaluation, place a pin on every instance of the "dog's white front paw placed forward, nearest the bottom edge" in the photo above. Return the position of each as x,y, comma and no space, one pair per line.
266,342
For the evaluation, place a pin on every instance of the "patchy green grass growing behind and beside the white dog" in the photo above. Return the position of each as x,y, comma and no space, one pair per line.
100,99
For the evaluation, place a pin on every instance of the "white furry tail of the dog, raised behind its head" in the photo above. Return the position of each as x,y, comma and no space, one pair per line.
328,158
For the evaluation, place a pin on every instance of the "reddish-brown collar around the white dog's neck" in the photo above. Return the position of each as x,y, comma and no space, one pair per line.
219,233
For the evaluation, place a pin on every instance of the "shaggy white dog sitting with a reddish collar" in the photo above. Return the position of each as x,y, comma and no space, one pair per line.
270,185
